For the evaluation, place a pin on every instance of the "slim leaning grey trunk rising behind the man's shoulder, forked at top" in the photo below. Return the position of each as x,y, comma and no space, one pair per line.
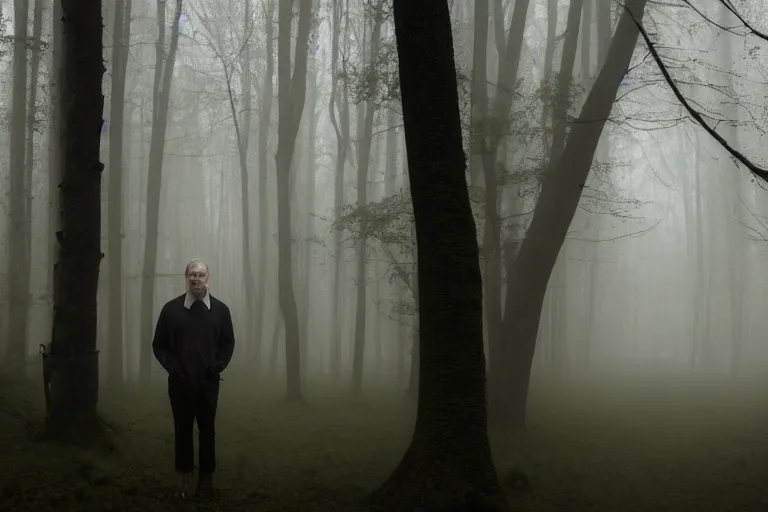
163,79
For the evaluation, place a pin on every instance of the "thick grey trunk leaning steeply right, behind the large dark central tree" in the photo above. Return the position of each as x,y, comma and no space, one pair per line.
555,208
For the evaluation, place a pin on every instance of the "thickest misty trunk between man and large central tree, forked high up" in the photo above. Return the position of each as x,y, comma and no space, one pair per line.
291,93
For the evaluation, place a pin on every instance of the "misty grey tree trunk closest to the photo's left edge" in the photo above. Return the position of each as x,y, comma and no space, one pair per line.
18,259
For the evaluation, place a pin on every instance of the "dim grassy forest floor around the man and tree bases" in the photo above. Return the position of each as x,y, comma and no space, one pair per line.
600,445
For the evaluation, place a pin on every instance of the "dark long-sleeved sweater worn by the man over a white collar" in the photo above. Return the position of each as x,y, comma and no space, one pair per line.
195,343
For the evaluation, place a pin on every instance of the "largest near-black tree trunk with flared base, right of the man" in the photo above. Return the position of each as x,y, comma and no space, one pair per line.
448,465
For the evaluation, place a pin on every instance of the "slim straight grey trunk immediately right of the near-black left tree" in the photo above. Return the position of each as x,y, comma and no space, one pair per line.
121,38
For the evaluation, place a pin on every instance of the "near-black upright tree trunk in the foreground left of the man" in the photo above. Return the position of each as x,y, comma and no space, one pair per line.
75,377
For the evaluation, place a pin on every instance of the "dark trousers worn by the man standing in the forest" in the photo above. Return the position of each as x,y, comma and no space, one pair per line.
192,401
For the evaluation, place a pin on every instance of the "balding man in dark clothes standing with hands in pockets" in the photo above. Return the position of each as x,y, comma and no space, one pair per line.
194,342
